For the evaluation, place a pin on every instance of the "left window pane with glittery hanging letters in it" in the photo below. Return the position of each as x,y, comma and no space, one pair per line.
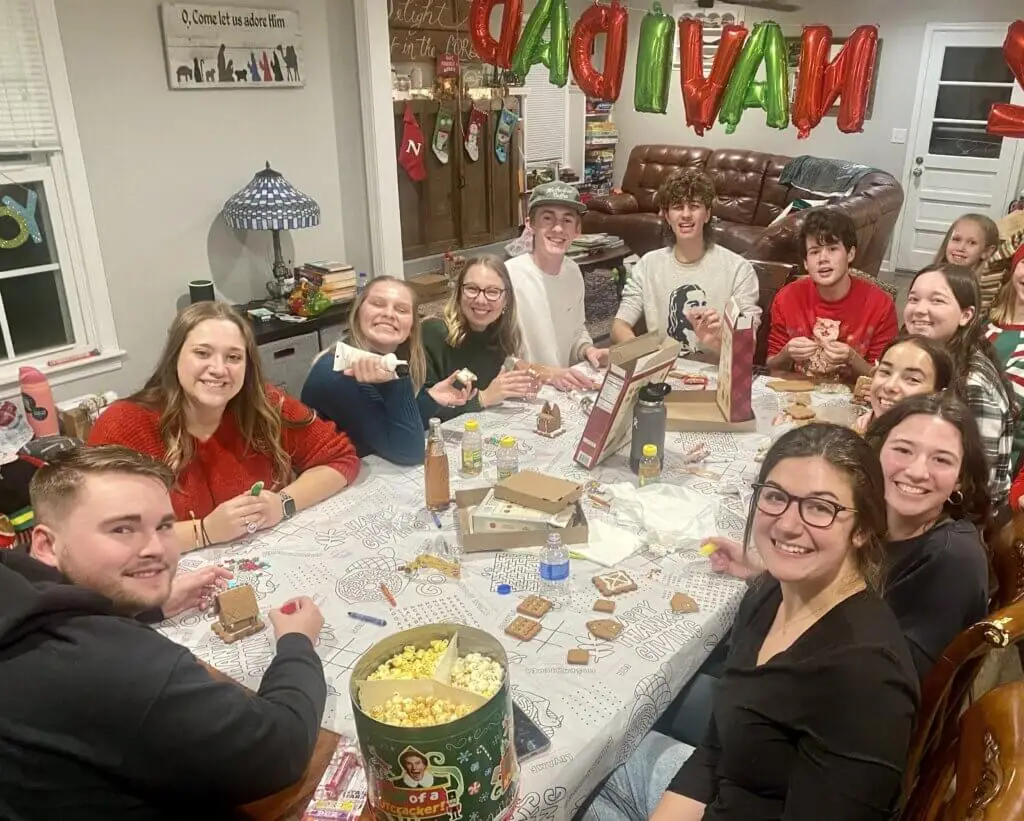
25,228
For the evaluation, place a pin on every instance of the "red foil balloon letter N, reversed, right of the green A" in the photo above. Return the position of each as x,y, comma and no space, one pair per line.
848,78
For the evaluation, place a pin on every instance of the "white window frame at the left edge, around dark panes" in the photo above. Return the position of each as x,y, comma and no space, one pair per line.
75,237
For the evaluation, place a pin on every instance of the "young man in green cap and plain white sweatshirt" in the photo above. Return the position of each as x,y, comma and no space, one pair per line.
549,290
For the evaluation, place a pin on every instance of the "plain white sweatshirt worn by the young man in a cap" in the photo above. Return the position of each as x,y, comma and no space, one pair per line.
551,312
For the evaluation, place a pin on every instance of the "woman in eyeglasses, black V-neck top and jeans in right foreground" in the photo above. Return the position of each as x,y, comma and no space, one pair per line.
814,715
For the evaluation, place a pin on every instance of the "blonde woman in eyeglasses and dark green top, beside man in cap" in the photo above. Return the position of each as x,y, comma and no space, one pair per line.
480,332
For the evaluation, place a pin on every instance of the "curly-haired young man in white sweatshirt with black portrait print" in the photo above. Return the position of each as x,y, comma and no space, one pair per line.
684,290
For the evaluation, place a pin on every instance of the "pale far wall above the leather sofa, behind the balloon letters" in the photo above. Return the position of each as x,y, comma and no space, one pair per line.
902,28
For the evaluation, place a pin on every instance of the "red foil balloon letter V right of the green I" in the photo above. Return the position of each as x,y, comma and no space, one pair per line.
702,99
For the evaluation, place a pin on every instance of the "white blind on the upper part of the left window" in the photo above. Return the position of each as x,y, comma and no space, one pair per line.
27,119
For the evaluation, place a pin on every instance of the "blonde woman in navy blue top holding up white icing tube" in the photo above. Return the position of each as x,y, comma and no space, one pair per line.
378,409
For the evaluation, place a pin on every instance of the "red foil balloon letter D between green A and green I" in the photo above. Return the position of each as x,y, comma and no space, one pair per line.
611,21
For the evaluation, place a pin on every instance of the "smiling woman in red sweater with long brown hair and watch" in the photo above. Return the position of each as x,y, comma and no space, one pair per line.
208,414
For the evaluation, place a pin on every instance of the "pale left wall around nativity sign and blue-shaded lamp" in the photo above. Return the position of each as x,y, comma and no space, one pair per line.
162,163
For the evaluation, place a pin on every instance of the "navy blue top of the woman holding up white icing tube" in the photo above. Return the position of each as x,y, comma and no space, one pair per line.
380,419
